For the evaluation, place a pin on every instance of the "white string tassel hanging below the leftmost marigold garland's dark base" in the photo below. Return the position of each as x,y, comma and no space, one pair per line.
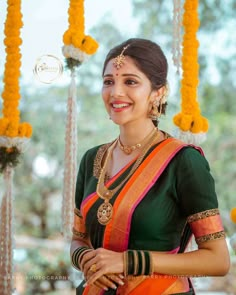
6,235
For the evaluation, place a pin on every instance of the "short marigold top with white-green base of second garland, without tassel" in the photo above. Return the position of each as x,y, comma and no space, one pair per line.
77,45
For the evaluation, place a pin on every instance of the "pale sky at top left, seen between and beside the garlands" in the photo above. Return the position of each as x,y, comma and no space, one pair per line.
45,21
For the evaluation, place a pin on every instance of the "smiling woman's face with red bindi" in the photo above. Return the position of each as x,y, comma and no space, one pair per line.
127,93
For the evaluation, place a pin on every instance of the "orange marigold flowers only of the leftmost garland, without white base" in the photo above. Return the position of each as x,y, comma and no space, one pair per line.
10,125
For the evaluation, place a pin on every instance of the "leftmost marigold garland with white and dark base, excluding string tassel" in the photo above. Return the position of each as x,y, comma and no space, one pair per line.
13,134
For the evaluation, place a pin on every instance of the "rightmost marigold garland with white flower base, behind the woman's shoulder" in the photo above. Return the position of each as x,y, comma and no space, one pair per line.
192,125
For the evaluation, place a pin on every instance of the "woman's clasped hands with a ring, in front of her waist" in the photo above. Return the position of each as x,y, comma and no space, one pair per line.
106,263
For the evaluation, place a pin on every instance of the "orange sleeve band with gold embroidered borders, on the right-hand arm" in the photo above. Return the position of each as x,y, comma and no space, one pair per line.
206,226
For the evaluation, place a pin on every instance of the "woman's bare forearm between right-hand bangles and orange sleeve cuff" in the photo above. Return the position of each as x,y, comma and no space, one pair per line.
212,261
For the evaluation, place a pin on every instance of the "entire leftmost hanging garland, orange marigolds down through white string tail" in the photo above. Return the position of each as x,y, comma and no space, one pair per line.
14,137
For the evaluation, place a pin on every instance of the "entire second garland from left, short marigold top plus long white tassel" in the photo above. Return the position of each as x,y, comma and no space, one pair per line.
77,48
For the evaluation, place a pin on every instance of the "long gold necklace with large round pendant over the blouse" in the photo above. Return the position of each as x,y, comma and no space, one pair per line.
105,210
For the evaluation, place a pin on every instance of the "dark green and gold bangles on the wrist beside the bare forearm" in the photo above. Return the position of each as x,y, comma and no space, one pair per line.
137,263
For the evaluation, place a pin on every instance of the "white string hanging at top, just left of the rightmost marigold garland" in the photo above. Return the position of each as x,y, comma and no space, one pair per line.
177,34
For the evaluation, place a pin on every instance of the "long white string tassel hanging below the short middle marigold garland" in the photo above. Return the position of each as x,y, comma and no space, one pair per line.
70,161
